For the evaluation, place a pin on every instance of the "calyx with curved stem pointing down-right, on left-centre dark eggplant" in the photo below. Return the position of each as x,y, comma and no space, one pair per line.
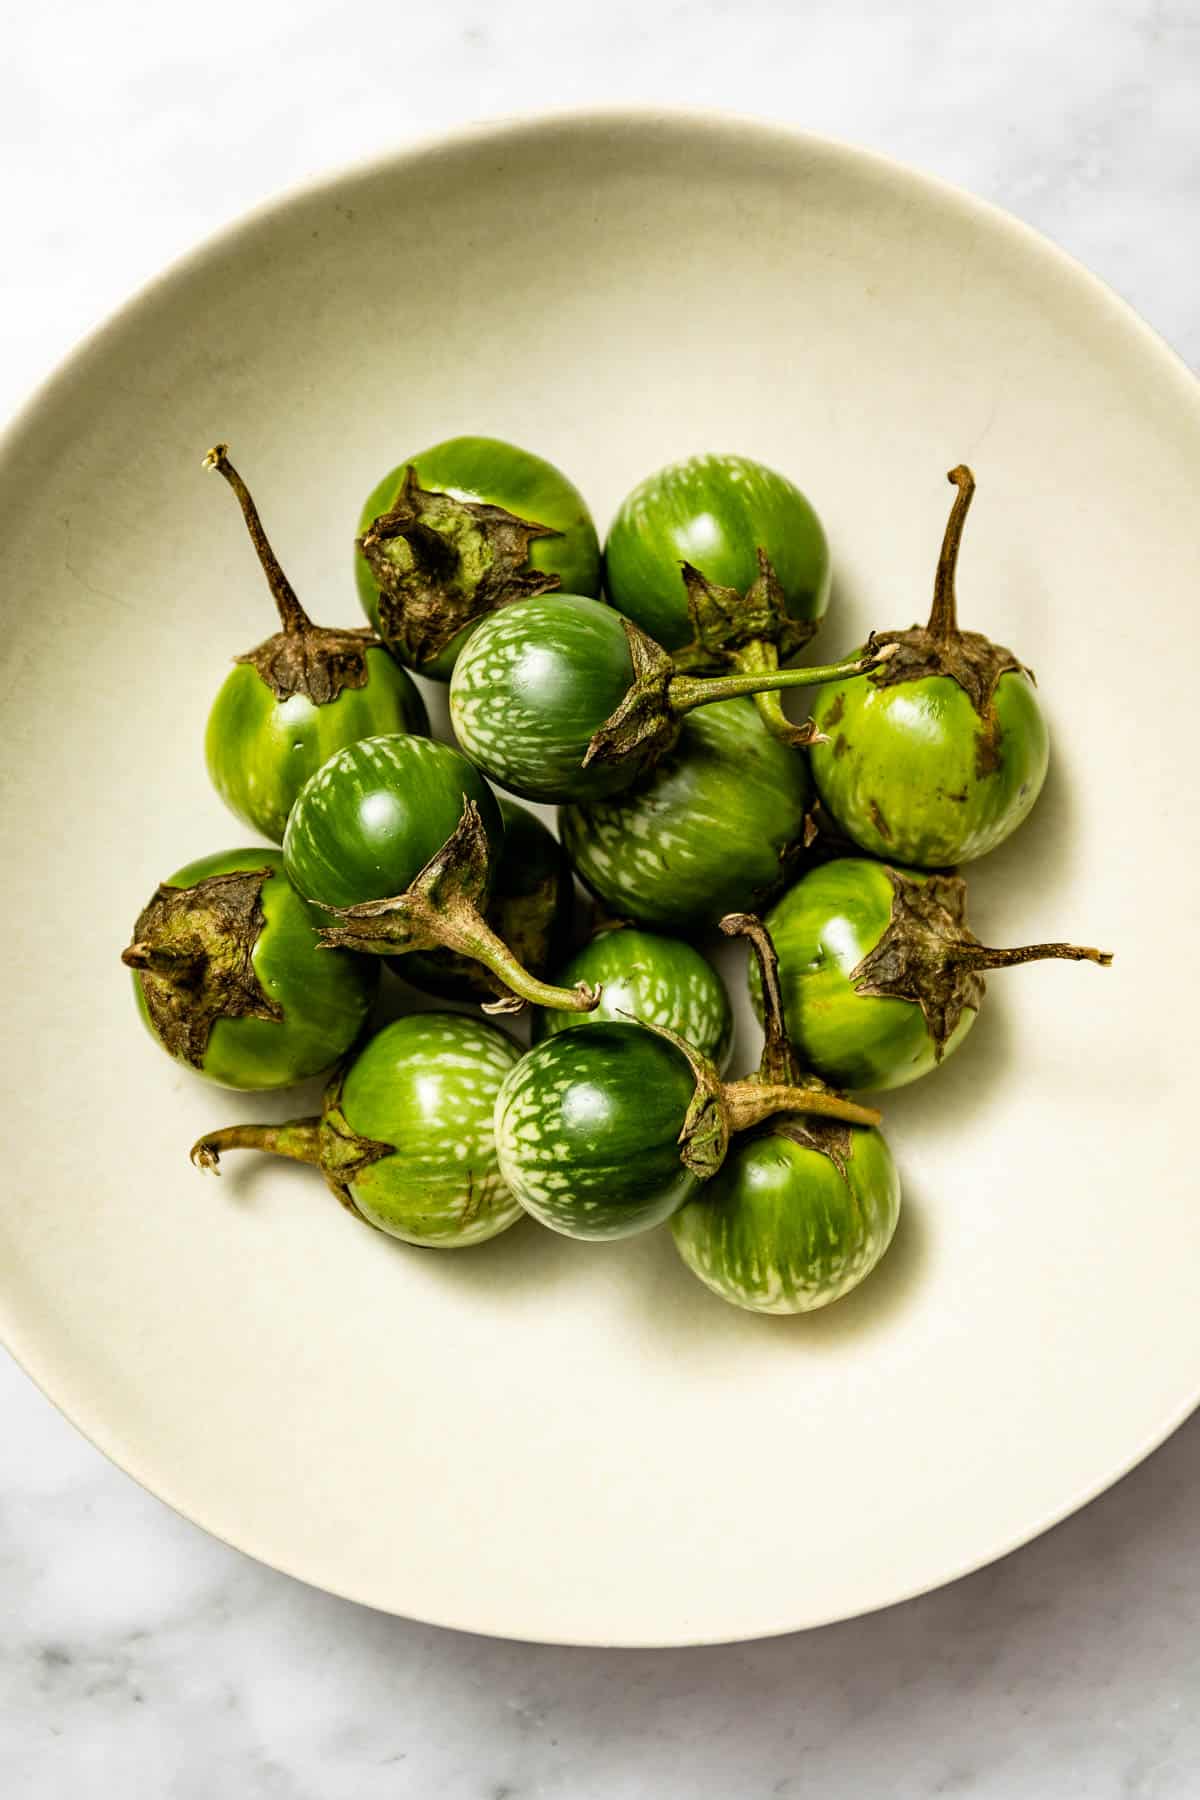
443,908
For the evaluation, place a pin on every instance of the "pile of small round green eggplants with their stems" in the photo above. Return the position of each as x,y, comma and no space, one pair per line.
640,690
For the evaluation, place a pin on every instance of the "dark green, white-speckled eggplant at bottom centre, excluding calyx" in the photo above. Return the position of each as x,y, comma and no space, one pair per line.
589,1131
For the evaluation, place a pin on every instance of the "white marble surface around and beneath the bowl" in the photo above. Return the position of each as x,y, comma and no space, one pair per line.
136,1653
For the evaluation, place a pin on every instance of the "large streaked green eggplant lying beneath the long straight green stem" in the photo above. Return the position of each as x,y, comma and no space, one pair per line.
713,829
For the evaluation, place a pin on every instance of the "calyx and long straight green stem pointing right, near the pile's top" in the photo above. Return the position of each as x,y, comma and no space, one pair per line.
649,721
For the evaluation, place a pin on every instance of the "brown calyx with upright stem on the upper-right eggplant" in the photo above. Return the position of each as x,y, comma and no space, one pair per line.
942,647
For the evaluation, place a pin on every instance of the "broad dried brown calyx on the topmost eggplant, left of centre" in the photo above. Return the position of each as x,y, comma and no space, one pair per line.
442,564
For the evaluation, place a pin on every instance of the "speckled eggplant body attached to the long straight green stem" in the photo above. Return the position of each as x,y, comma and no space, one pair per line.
533,687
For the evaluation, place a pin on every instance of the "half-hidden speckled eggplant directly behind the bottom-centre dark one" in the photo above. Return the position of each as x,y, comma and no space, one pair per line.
652,978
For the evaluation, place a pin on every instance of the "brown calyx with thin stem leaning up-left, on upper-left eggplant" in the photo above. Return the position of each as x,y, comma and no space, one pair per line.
303,658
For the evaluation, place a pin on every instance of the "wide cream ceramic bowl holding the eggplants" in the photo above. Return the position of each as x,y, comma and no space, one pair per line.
542,1439
